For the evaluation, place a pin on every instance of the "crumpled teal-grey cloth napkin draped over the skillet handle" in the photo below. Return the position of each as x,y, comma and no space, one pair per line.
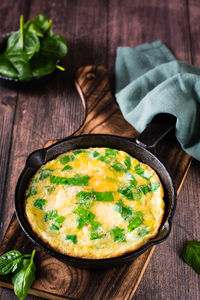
149,81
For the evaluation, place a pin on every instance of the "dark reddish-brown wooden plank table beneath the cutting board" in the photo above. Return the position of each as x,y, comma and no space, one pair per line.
94,29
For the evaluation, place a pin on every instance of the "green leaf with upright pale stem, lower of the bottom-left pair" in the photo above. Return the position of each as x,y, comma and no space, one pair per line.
23,279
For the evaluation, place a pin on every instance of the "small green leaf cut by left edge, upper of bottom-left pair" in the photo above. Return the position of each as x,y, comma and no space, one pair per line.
10,261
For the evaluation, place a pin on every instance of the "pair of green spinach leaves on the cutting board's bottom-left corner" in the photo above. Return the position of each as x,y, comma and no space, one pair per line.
23,269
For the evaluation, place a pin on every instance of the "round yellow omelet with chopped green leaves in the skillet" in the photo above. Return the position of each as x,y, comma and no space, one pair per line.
95,203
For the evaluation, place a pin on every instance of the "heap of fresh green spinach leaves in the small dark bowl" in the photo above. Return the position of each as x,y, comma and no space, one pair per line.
33,50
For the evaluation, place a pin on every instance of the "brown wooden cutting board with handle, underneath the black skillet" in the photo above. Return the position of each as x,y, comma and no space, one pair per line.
57,280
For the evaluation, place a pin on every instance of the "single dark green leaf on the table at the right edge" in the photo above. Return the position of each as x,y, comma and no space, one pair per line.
191,255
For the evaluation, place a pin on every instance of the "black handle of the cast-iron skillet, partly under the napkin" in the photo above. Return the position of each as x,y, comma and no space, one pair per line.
157,129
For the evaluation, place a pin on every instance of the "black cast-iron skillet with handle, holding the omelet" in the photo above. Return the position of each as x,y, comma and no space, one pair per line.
141,148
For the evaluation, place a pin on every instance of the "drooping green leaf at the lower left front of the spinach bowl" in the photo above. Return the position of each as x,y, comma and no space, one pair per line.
20,61
